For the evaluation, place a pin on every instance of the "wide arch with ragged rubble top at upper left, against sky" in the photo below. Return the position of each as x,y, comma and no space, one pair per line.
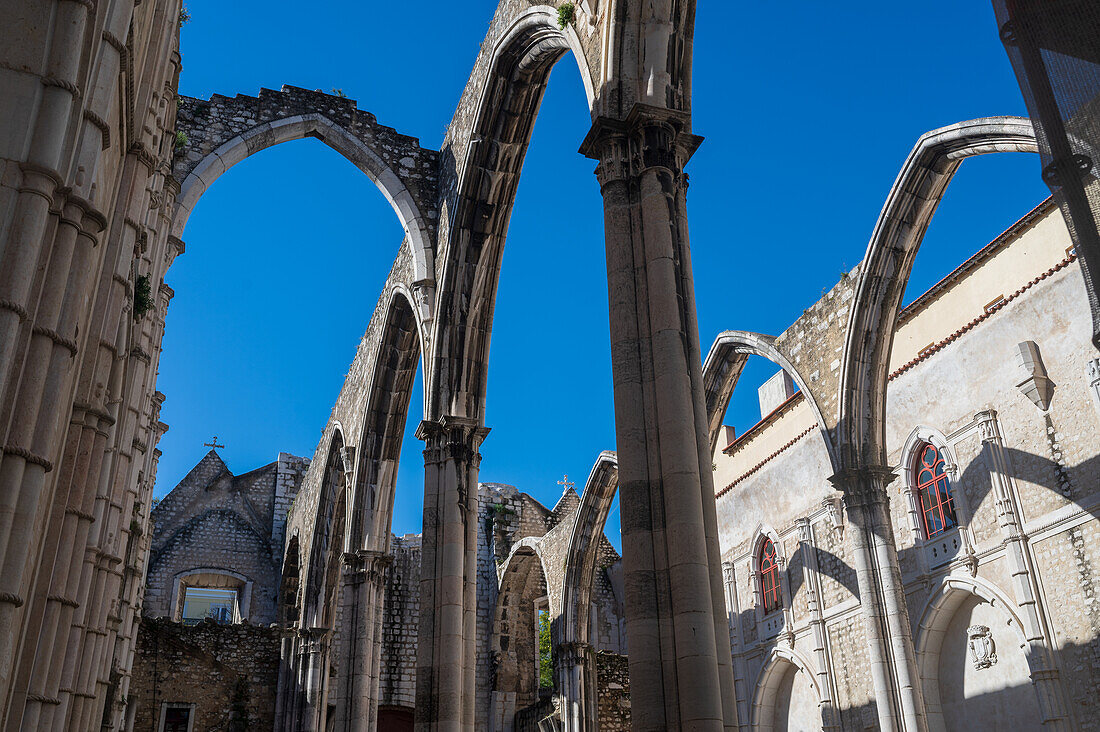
404,172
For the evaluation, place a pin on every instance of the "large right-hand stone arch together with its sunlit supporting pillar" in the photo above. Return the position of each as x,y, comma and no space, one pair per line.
861,431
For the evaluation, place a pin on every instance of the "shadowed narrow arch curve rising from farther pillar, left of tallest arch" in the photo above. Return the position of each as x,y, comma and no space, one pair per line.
386,410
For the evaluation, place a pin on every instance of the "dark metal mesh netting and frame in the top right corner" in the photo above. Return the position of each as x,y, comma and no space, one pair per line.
1054,47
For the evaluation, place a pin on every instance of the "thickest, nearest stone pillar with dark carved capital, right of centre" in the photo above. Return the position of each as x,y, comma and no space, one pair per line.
677,625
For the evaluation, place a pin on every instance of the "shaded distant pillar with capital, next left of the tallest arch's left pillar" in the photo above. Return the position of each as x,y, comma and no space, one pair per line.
365,593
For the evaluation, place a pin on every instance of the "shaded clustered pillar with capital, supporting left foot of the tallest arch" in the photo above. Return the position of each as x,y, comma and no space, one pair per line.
447,648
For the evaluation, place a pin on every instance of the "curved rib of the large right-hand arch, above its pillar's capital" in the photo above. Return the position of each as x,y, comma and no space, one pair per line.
861,433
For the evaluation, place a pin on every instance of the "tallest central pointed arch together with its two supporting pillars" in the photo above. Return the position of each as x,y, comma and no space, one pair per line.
643,139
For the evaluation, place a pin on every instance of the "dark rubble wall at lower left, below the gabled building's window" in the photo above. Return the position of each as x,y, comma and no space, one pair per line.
230,673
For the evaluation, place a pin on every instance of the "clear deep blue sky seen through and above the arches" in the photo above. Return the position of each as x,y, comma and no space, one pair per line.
809,110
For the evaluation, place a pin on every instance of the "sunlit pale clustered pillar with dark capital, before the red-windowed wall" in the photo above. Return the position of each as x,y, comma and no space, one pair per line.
898,694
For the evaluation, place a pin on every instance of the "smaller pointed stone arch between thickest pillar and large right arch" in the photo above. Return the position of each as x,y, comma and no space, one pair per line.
723,368
